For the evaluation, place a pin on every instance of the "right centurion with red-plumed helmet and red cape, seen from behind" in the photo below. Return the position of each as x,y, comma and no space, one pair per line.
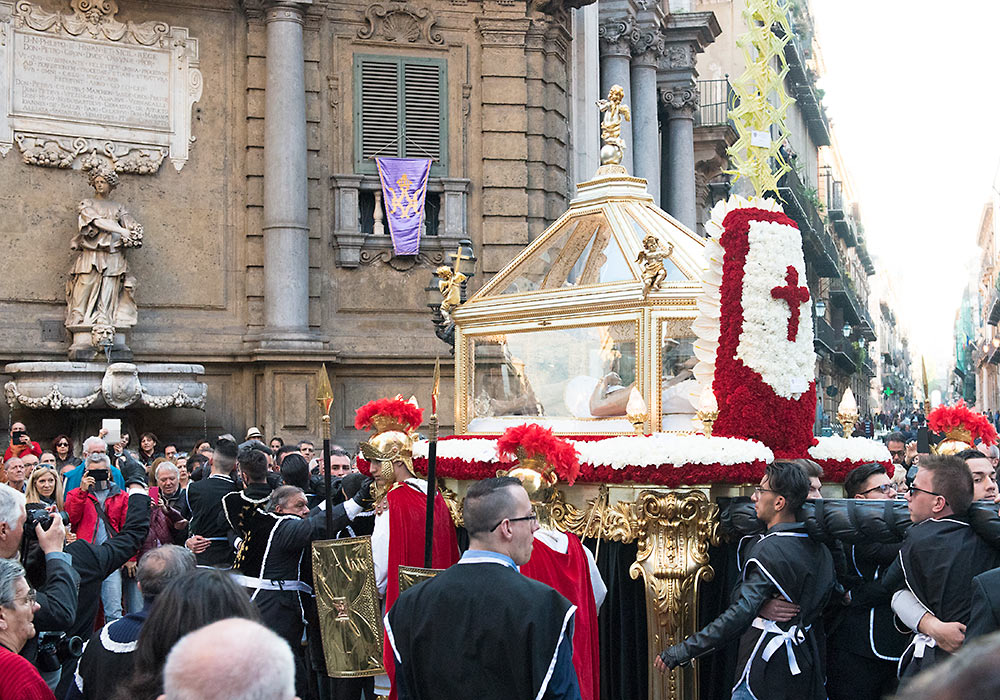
559,559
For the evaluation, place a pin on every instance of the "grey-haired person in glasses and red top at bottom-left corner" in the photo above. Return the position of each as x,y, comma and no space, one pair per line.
18,678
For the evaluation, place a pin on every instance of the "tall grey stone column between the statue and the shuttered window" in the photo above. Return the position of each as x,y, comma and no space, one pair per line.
286,223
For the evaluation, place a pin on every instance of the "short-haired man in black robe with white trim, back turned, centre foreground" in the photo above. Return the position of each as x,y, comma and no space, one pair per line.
480,629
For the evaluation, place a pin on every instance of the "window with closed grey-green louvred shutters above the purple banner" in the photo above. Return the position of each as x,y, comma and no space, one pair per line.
400,109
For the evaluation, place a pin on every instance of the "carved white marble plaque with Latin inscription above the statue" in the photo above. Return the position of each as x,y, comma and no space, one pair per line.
82,87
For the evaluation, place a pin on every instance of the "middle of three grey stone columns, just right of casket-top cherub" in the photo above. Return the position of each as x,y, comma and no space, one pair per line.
645,112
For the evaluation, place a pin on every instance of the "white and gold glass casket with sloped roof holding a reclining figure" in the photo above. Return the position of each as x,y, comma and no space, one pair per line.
600,303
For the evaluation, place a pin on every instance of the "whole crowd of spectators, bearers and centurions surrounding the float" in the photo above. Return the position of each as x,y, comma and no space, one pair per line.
122,570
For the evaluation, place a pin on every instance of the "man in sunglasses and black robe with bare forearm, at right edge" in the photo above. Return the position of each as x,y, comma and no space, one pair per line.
939,558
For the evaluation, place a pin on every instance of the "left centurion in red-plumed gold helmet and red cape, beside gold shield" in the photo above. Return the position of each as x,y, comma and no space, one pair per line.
401,506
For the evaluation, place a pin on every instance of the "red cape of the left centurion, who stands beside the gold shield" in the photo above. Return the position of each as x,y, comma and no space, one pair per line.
407,514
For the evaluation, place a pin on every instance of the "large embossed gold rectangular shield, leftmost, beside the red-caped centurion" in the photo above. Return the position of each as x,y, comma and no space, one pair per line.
350,613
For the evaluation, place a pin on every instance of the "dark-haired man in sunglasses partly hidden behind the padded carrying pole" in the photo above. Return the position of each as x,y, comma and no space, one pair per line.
865,646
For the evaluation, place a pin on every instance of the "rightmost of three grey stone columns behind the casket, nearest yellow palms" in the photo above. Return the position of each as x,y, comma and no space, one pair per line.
681,103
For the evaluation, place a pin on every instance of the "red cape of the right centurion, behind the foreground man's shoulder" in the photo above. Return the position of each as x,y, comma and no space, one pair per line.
570,575
